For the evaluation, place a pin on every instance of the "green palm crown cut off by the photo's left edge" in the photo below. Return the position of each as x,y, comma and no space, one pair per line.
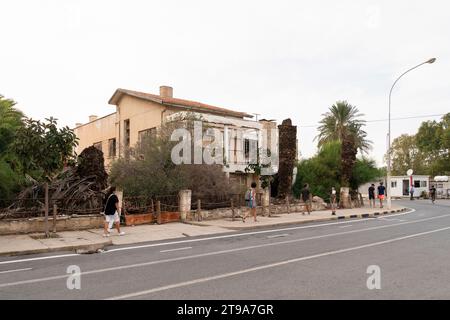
10,121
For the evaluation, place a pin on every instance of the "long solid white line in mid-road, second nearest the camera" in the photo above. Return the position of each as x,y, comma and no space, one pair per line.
201,255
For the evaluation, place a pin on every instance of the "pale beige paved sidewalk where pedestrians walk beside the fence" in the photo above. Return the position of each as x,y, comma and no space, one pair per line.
90,241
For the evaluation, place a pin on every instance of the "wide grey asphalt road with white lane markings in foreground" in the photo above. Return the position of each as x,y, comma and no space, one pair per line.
308,261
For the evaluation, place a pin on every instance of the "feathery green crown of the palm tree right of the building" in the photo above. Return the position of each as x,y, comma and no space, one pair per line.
340,122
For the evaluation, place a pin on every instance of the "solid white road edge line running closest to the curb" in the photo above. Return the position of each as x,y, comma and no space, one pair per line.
203,239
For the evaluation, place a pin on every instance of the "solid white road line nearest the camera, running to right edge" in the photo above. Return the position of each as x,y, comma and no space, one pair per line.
272,265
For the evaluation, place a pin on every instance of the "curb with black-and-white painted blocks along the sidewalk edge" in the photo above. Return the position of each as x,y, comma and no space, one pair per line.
331,218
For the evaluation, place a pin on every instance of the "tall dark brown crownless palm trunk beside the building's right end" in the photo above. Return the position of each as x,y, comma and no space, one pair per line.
287,142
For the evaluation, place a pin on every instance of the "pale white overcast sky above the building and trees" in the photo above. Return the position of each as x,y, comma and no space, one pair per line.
277,58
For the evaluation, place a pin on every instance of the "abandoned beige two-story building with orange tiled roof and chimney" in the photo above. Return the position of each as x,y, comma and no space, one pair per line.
138,114
